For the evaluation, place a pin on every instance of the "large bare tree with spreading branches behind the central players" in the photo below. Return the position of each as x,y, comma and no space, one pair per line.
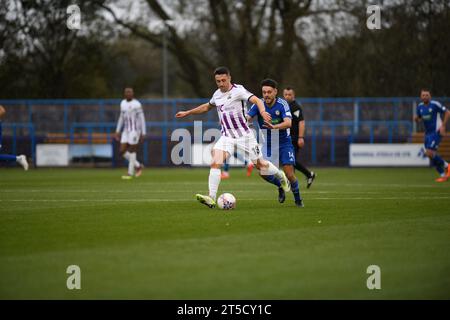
255,38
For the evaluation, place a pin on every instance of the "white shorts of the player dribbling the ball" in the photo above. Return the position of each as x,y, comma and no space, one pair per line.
246,144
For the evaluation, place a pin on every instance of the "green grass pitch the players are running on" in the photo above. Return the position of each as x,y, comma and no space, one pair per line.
149,239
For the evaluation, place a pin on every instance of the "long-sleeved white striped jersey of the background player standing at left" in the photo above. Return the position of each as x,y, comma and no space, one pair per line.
131,117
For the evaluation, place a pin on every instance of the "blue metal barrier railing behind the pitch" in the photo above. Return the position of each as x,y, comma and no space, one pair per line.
326,118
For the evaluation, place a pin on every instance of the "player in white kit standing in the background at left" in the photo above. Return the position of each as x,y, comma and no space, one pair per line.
130,131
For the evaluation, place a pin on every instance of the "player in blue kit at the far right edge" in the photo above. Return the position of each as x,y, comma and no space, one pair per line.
430,112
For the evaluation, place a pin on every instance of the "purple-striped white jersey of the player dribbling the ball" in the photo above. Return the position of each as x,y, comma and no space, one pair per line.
231,108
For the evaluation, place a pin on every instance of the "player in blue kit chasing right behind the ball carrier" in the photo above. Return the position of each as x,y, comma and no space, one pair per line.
281,121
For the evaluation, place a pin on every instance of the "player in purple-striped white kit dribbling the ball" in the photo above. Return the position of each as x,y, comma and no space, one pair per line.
229,100
